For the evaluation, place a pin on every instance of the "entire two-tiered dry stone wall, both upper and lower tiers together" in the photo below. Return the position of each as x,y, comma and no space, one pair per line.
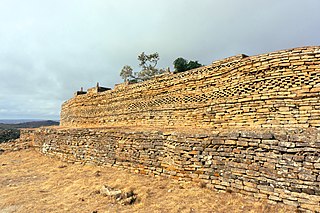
258,116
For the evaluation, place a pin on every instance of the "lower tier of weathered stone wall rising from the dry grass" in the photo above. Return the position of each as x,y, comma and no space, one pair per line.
282,166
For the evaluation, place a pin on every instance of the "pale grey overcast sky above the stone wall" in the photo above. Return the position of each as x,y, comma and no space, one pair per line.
51,48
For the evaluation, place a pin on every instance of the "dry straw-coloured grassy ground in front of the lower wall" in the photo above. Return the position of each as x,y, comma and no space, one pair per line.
31,182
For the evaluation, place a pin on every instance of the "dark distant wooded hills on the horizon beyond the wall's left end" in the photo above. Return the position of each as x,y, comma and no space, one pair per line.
12,131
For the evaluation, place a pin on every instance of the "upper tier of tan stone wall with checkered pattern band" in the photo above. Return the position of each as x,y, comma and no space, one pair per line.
278,89
